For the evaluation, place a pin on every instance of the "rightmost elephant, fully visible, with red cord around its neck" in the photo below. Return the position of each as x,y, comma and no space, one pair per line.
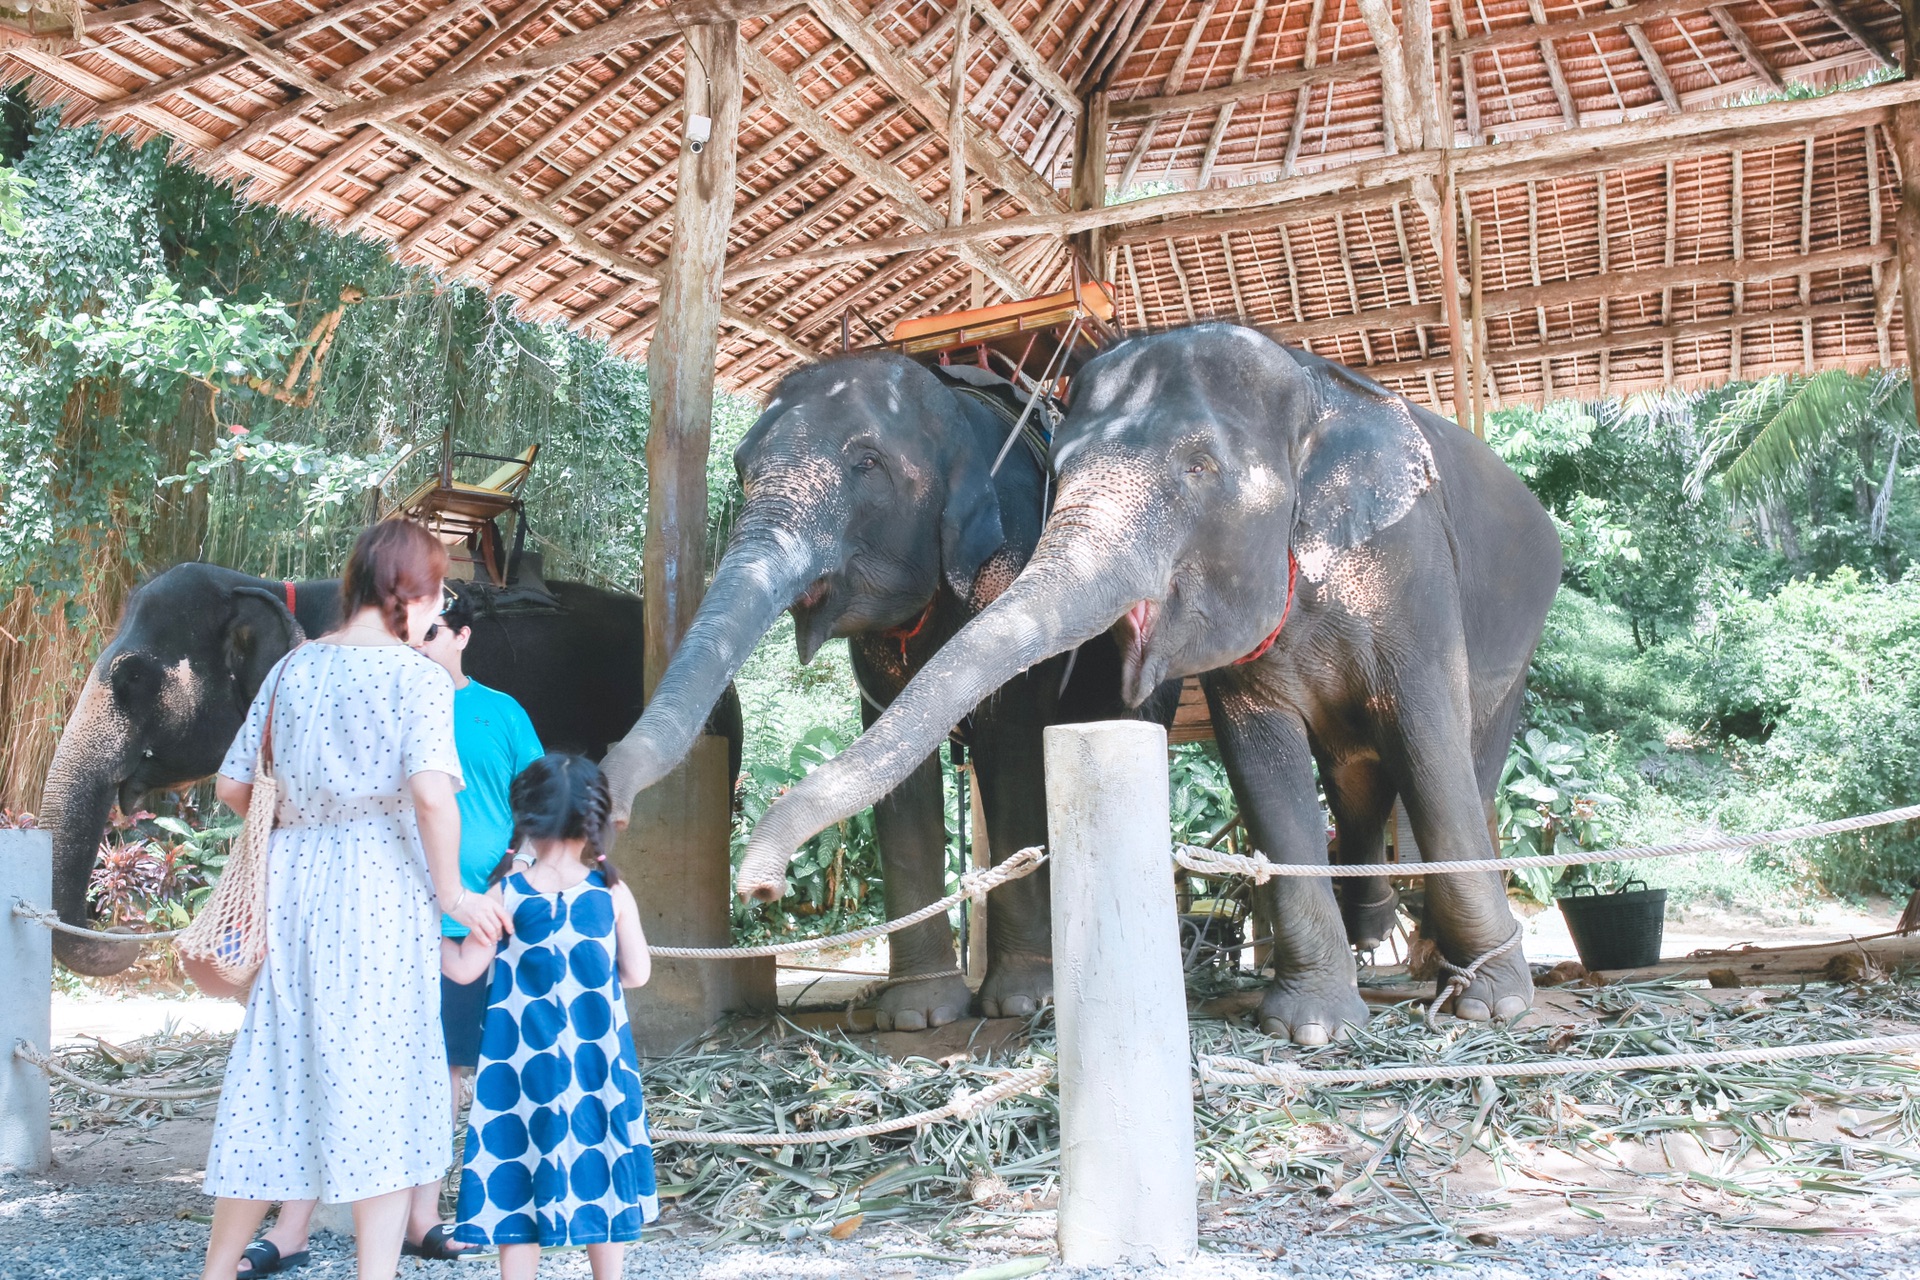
1360,586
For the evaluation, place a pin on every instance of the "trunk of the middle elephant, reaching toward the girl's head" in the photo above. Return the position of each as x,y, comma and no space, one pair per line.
759,579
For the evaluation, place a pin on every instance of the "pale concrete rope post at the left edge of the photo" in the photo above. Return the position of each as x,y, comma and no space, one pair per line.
26,1001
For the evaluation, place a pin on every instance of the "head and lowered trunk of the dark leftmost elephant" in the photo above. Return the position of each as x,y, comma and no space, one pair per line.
160,709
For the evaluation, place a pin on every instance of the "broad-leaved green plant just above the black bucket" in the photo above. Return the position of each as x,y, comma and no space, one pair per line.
1547,807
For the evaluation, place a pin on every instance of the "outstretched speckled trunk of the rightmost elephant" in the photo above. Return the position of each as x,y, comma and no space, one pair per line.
1074,588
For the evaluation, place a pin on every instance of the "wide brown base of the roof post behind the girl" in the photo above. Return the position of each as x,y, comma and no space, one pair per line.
675,855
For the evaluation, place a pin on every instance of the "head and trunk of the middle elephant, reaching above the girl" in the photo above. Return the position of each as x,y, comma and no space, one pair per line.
869,490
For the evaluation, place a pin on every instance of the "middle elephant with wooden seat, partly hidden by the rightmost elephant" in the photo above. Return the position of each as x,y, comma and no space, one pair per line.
875,513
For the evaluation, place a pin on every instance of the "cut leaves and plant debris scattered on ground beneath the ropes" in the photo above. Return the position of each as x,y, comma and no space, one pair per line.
1385,1156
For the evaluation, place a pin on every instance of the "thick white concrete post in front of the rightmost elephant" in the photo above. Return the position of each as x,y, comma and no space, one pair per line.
1128,1185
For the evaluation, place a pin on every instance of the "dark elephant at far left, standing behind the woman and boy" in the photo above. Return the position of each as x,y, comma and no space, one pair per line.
168,694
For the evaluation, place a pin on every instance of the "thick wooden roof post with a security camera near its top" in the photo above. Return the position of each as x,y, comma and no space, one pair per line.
681,364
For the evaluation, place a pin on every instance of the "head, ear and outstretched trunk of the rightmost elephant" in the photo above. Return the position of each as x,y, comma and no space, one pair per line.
1205,477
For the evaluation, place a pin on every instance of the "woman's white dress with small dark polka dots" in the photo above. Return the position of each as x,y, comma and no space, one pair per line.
337,1087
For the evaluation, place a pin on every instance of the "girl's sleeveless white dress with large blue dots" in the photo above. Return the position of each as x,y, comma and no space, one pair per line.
558,1147
